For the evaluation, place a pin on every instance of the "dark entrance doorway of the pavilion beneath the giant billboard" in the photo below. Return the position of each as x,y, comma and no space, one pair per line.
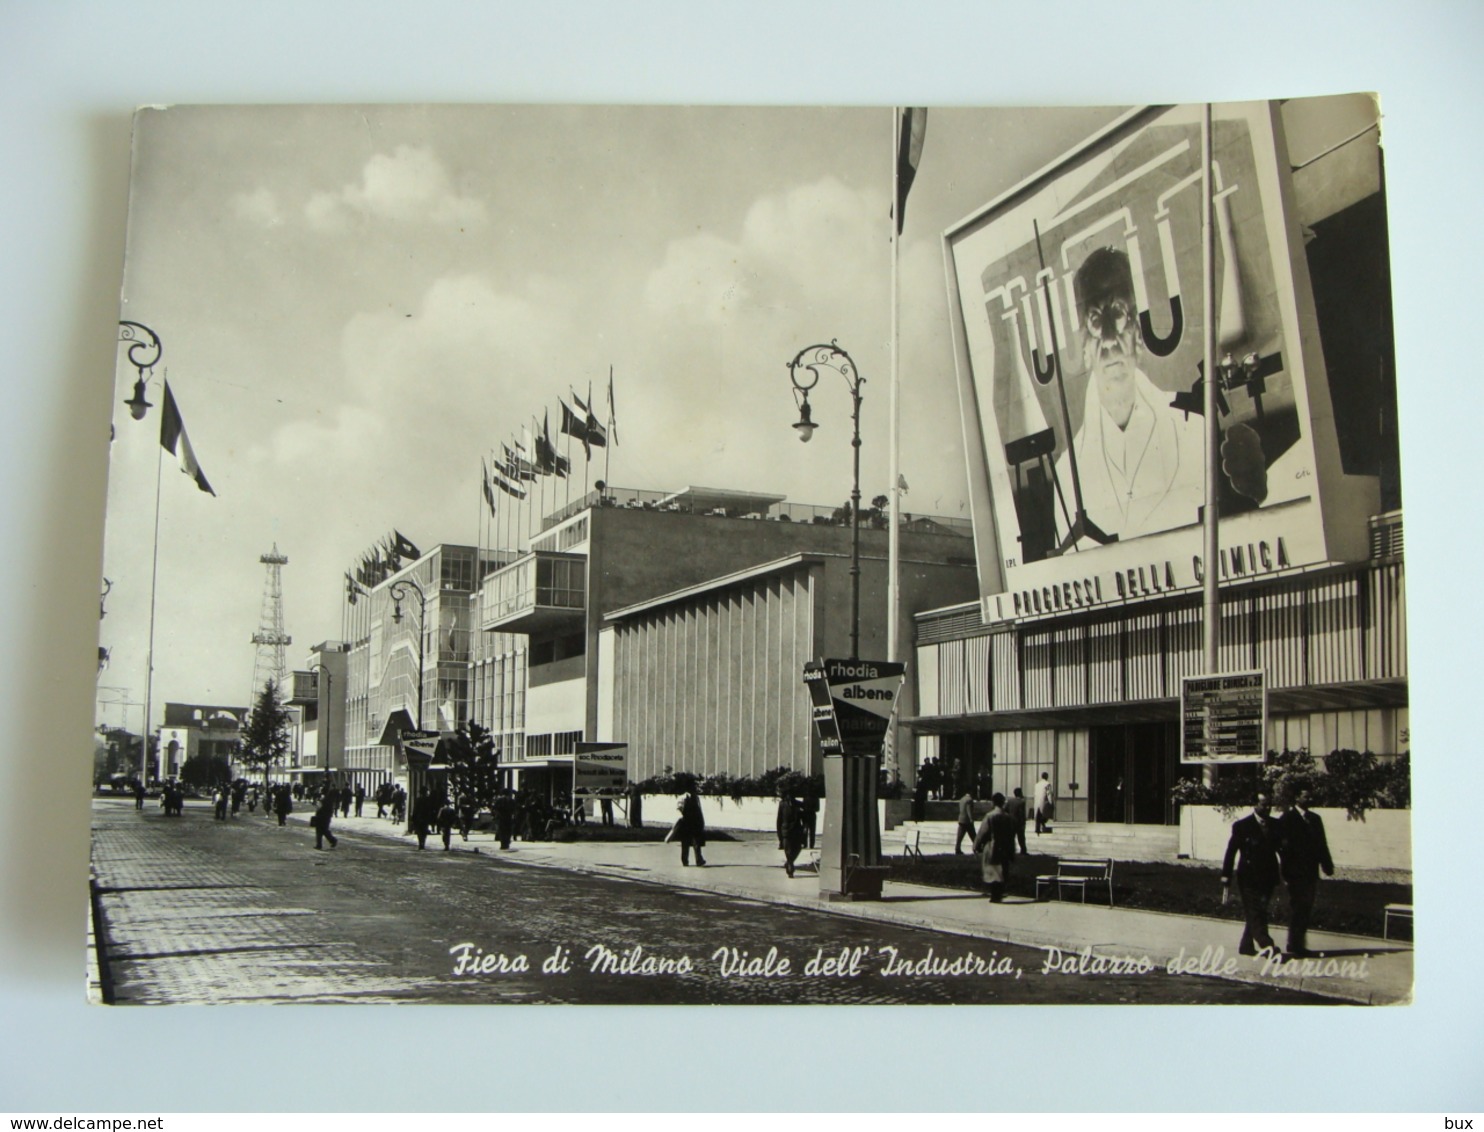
1133,769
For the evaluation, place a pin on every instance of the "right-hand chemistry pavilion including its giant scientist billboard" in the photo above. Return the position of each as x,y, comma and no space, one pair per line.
1071,664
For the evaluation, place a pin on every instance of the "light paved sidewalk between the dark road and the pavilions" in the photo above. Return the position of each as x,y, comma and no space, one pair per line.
1356,970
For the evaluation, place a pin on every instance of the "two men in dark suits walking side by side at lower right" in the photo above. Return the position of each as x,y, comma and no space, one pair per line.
1265,851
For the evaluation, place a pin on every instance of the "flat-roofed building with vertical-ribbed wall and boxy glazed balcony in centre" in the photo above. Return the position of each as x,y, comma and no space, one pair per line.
679,624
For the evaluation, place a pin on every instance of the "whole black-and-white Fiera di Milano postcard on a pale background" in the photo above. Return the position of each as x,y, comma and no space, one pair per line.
774,556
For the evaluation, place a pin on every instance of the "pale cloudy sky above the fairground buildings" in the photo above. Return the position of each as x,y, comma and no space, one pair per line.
358,303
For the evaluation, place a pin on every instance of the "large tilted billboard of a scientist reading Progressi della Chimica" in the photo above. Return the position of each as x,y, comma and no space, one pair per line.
1083,320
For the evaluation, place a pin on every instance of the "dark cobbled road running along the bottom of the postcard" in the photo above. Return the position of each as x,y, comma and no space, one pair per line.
195,910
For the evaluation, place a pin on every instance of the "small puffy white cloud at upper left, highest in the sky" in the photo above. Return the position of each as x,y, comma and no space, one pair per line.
409,186
